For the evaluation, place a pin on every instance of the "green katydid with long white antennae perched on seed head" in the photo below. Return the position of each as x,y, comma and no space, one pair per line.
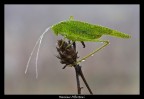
75,30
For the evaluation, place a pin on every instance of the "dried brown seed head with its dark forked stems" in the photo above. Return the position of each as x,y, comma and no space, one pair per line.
68,56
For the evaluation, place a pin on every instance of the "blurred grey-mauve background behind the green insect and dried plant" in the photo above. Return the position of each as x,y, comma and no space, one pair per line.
113,70
